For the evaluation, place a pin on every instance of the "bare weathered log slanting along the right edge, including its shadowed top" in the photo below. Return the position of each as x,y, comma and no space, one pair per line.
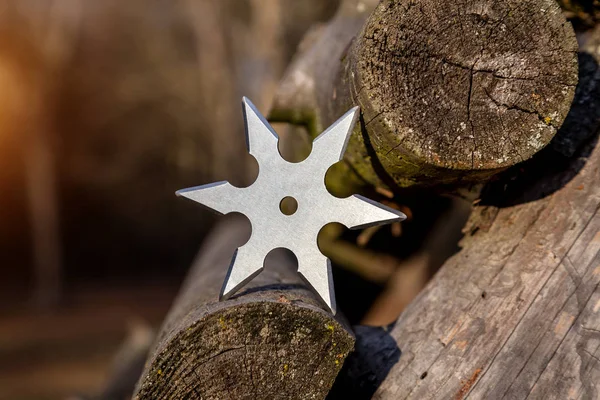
516,313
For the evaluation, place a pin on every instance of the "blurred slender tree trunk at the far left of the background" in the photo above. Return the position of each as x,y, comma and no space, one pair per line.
57,43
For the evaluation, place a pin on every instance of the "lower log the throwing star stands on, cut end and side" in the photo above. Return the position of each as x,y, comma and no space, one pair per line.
272,341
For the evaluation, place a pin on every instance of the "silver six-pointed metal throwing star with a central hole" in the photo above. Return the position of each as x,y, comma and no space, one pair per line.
305,182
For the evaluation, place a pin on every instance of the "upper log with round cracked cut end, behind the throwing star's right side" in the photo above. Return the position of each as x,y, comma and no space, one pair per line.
450,93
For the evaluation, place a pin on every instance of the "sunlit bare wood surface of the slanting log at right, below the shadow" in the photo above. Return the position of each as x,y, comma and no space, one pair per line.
493,317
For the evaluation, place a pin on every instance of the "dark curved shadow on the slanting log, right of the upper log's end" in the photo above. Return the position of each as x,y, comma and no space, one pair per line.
554,166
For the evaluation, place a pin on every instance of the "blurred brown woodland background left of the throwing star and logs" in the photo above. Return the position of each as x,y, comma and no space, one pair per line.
106,108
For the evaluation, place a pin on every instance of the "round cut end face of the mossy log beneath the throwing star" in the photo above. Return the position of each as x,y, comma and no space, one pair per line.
266,349
